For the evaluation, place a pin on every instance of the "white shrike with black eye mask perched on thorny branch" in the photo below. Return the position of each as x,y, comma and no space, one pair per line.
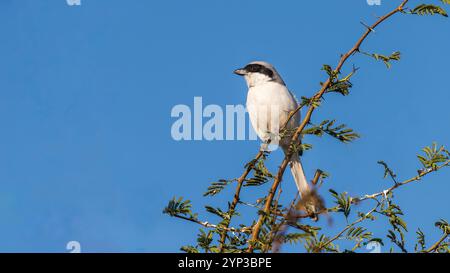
269,104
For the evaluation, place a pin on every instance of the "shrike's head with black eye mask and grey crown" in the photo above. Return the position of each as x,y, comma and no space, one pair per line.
256,73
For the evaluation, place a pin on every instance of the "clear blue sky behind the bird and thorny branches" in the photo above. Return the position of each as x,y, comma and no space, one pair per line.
86,93
